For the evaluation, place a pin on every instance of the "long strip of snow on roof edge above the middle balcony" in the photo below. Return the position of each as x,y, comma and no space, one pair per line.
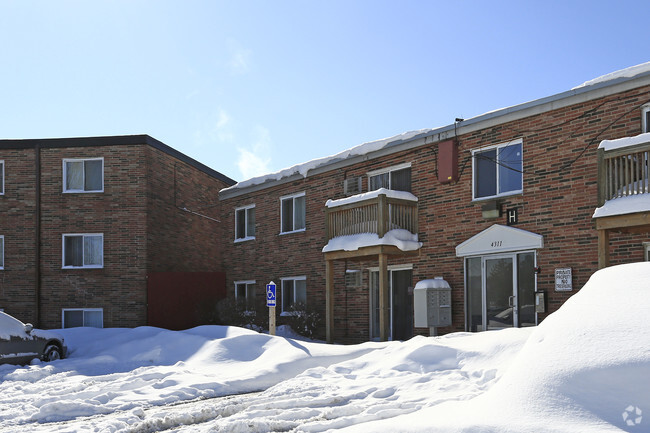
304,168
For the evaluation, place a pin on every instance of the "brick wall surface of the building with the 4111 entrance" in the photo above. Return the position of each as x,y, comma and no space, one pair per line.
559,197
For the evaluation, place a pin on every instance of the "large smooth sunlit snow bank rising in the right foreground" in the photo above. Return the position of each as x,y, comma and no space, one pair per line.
580,370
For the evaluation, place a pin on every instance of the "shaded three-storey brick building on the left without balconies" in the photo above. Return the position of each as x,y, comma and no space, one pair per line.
107,231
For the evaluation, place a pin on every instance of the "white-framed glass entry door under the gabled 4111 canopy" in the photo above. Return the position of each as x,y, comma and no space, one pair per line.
500,291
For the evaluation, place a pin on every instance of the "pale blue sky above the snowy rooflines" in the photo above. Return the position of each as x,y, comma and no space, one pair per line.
251,87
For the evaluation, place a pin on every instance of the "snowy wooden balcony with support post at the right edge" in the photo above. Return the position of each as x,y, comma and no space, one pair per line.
623,190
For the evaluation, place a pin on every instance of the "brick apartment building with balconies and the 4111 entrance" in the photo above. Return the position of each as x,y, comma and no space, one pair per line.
502,204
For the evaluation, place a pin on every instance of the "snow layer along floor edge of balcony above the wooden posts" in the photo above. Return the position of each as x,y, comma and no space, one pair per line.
400,238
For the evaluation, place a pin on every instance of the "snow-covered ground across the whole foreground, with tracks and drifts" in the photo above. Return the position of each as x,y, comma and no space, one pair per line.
585,368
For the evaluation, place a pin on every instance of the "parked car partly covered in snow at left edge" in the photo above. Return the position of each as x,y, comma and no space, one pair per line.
20,343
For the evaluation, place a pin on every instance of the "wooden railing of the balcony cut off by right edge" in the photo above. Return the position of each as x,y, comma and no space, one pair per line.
623,172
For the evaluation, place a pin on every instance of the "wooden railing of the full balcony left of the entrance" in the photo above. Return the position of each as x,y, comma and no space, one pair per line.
378,215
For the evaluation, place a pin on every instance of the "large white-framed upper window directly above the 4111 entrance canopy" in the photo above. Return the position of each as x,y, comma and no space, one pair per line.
498,170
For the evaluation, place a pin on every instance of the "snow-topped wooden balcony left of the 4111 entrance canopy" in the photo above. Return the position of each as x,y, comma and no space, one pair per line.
378,218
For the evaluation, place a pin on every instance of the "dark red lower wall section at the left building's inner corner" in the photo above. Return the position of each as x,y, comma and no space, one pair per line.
182,300
